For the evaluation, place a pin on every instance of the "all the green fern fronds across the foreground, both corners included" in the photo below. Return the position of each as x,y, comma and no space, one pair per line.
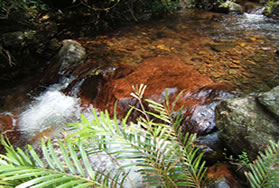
164,156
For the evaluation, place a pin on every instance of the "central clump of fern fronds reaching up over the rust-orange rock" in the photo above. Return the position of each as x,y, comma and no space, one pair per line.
166,157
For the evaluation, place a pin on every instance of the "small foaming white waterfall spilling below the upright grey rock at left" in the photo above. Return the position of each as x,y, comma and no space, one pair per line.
51,110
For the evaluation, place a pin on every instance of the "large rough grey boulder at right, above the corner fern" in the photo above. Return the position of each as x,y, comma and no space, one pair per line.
245,125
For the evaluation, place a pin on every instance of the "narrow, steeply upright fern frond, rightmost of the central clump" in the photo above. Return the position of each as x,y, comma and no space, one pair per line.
190,161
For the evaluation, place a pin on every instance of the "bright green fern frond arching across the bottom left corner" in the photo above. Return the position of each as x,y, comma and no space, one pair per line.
71,168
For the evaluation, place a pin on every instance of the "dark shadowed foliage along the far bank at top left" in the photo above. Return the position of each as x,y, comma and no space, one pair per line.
102,13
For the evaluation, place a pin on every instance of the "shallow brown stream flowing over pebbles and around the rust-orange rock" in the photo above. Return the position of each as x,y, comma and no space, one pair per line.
238,50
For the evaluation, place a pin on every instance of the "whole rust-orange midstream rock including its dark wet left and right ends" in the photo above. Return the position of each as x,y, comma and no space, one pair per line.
158,74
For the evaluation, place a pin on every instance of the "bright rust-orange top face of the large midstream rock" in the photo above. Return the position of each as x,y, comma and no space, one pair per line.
157,73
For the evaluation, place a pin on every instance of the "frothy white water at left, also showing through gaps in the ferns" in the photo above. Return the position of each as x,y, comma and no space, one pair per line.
51,111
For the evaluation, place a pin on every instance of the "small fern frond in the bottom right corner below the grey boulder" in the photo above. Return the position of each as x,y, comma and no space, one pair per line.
265,170
